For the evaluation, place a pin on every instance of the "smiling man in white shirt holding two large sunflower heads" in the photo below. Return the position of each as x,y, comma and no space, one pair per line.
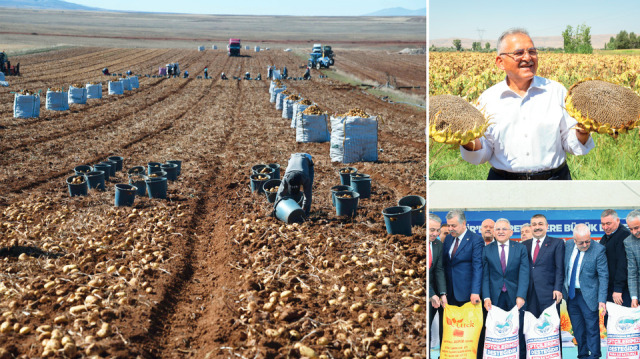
531,132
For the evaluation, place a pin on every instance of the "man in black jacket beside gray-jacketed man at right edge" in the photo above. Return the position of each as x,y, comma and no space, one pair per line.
613,242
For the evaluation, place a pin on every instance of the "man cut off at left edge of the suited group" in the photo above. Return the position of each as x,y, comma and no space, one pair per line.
437,285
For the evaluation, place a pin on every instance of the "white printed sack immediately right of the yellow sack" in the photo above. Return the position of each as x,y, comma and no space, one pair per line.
502,337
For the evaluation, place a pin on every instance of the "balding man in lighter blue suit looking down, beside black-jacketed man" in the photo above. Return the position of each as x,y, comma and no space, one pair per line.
585,285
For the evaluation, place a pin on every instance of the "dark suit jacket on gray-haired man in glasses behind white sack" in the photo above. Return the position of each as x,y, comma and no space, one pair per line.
515,276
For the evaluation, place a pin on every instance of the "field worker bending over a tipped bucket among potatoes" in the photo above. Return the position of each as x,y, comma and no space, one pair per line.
298,178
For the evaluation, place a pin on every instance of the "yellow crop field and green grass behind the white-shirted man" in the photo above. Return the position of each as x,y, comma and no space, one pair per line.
469,74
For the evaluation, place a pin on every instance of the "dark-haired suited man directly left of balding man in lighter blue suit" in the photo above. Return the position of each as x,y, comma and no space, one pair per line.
546,263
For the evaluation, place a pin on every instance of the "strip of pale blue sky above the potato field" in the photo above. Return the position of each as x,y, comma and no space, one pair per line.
256,7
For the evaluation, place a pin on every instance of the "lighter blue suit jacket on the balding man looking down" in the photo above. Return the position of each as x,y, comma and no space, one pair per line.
594,274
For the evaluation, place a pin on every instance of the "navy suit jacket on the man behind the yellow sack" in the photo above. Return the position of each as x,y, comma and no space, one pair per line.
465,266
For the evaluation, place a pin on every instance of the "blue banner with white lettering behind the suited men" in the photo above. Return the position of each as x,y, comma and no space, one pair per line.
561,222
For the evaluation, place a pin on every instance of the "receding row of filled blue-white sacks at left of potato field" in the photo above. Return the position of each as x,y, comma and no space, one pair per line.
27,106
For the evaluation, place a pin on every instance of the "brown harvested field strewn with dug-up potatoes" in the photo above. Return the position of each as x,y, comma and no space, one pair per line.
208,272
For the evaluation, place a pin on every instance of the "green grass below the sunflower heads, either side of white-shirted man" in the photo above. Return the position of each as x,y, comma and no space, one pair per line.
611,159
